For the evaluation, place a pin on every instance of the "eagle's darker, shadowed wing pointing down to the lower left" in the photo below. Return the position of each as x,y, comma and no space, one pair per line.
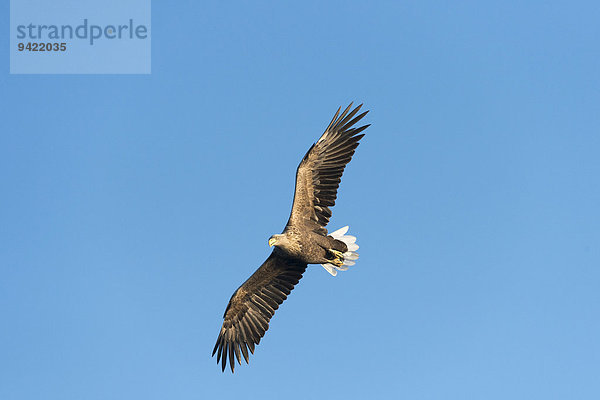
247,316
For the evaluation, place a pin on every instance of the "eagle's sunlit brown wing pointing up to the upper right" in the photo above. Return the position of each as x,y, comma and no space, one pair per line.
320,171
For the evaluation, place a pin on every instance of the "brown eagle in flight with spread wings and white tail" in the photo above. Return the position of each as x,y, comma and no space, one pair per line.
303,241
